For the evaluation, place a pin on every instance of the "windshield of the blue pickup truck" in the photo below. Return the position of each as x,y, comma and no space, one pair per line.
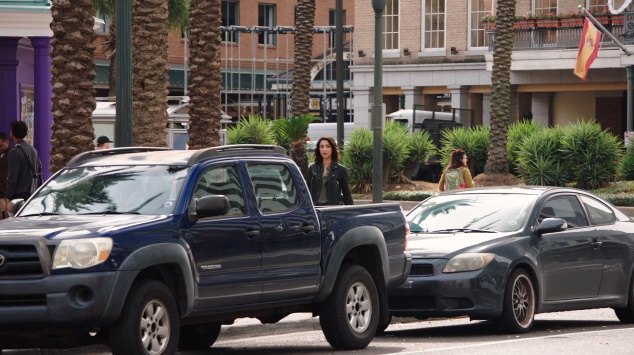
147,190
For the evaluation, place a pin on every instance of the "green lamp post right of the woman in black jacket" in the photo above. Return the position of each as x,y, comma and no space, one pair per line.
377,108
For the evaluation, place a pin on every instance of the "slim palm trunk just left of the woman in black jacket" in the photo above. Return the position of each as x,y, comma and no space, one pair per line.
300,91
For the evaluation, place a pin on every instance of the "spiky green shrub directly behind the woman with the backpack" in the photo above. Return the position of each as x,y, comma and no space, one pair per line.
474,141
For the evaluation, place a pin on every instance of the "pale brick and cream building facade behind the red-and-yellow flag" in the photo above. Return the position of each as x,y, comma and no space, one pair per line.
438,54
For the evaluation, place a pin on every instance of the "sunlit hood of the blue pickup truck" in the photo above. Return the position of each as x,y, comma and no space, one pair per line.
61,227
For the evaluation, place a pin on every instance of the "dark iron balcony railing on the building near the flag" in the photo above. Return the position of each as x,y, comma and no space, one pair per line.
554,38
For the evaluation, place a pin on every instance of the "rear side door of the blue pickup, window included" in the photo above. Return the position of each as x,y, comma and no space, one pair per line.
290,235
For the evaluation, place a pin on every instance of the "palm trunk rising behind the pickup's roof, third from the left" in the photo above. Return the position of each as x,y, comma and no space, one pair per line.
205,74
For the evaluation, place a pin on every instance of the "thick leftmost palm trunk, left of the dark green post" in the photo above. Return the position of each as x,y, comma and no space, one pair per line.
73,71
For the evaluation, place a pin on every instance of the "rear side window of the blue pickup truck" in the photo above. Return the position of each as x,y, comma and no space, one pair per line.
274,188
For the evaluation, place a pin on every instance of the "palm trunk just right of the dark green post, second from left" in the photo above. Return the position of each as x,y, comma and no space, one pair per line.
149,60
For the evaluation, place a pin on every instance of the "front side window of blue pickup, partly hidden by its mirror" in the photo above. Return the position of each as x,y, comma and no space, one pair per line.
223,180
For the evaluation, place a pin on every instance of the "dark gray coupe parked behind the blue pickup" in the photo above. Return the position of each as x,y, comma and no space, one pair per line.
506,254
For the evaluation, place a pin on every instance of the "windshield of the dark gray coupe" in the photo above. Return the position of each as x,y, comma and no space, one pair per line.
471,213
